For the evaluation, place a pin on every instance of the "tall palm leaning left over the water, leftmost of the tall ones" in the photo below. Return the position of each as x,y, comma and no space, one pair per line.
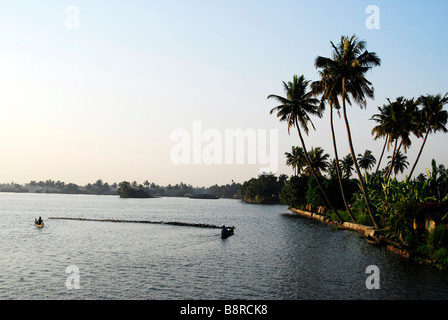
296,109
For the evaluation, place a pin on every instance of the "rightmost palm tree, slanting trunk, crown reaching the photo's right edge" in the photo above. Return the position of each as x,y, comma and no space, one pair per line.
432,118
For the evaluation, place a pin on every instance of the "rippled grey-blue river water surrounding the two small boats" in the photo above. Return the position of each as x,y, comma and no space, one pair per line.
273,254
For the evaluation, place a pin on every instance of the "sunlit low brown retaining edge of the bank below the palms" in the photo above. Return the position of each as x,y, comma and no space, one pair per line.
374,235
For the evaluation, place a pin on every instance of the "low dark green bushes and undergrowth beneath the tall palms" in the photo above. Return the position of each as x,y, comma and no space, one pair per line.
401,207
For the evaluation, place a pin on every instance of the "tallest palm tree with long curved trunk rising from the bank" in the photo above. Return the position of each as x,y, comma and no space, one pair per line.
348,66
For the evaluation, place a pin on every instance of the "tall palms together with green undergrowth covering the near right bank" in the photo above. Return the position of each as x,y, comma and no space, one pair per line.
414,210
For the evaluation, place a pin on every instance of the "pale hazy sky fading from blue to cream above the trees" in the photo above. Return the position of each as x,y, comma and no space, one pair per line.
95,89
